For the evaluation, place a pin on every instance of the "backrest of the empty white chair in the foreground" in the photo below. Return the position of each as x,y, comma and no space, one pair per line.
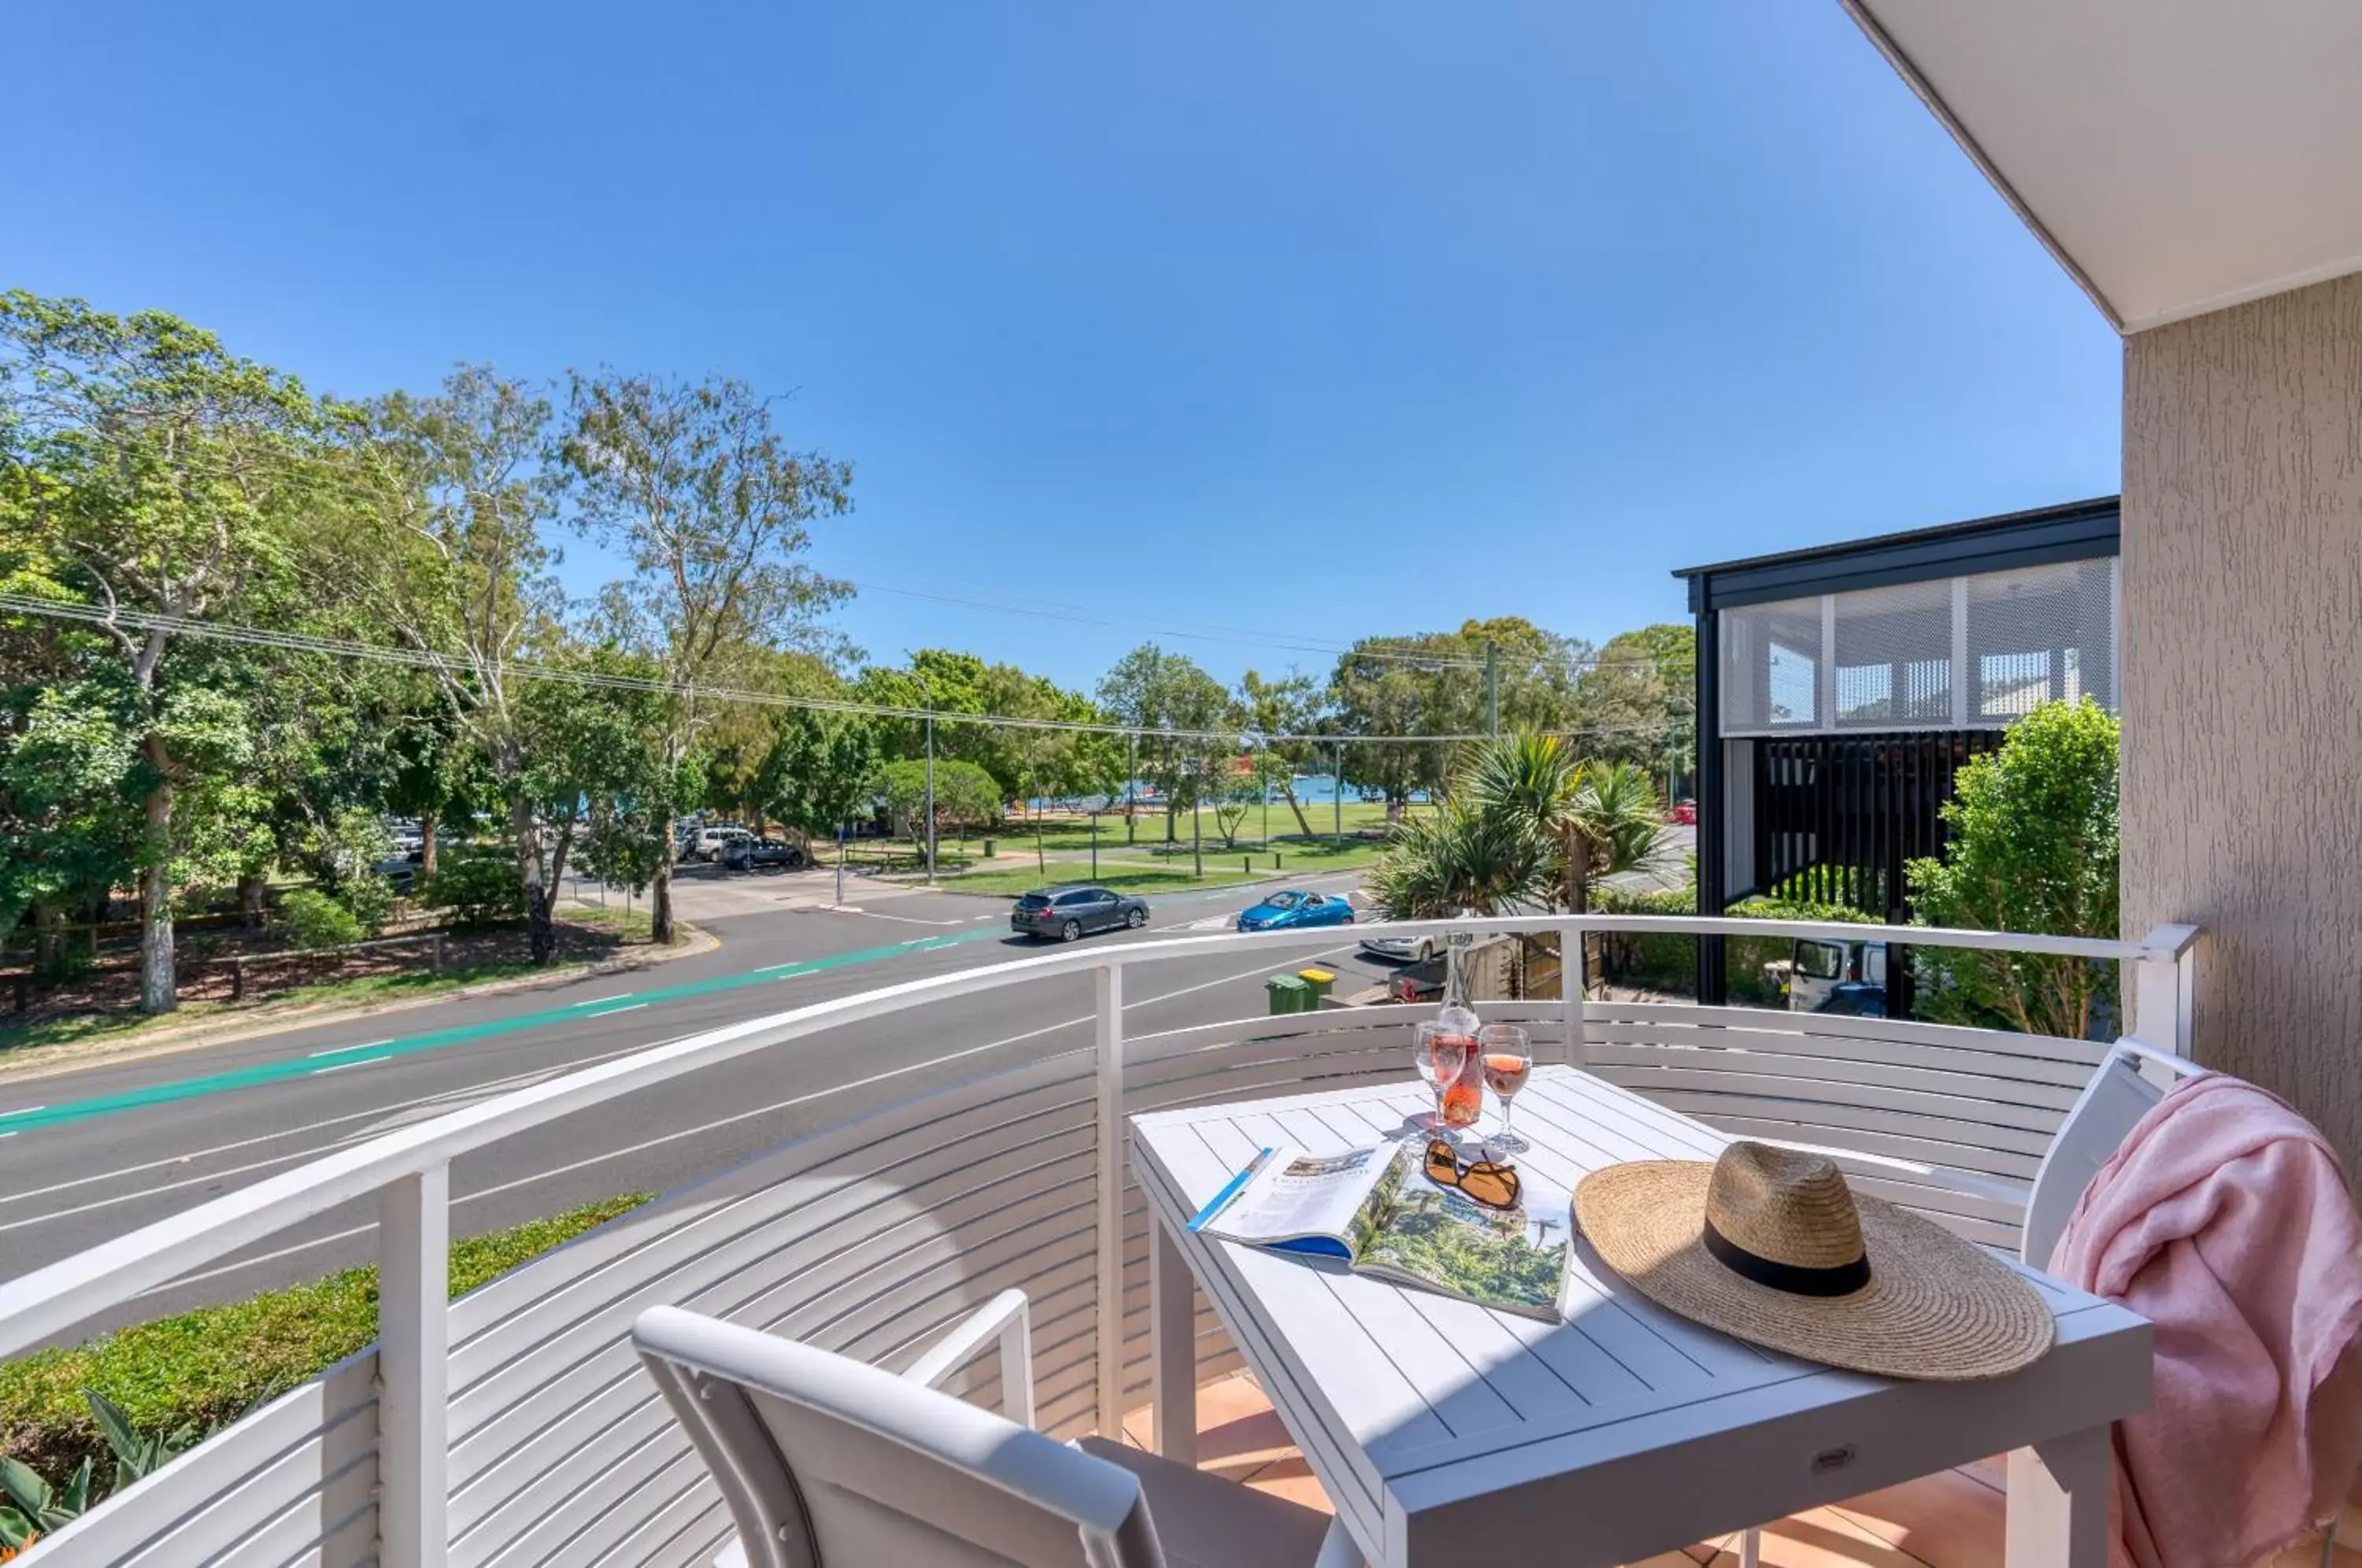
830,1463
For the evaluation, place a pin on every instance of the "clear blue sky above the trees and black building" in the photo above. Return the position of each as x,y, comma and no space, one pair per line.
1314,320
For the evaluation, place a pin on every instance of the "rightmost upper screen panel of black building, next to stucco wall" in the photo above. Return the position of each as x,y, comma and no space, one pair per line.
2040,634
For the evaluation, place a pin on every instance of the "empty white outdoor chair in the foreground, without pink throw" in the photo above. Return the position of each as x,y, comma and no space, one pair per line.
828,1463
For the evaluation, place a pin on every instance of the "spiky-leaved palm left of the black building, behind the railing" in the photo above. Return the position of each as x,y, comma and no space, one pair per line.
1603,818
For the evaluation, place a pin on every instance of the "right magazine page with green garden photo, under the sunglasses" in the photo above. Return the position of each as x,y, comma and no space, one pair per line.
1425,1234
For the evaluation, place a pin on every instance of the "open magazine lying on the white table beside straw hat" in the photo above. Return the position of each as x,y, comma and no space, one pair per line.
1381,1213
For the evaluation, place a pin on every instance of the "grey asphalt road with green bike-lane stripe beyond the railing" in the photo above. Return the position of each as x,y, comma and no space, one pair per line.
98,1154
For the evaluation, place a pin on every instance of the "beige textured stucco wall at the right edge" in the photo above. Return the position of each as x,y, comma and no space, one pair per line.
2243,681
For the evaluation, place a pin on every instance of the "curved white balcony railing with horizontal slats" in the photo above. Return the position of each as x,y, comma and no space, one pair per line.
516,1427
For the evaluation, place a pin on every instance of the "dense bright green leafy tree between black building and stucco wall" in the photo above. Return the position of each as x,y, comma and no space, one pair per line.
2030,847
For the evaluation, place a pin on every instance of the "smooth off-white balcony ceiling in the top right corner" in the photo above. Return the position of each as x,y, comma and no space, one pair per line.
2174,155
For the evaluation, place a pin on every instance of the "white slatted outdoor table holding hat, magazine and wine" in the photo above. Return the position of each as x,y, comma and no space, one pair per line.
1449,1432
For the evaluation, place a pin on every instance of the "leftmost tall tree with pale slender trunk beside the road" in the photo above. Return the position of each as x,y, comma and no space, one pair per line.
169,481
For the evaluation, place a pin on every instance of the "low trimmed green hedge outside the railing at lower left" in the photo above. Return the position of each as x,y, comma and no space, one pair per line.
216,1364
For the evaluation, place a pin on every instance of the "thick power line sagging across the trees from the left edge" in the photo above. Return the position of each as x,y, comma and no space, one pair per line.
523,669
